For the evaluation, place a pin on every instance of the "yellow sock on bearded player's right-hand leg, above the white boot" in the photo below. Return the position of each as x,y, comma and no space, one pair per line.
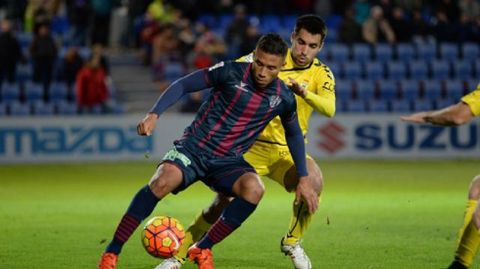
299,223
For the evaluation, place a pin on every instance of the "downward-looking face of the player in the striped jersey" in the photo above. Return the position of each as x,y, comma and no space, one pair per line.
266,67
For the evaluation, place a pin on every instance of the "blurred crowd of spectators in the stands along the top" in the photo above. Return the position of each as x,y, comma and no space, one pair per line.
178,36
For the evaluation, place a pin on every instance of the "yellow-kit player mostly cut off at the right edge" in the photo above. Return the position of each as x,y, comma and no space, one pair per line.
458,114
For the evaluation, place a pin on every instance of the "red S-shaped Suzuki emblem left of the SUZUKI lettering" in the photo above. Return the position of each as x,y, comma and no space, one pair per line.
331,137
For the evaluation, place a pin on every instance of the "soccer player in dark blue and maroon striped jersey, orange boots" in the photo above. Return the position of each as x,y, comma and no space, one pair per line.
244,98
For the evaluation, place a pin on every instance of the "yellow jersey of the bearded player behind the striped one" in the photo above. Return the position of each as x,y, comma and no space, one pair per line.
318,80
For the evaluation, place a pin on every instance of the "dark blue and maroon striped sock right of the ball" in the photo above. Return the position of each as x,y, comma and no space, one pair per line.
232,217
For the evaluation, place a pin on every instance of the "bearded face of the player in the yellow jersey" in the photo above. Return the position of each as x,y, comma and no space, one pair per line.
305,47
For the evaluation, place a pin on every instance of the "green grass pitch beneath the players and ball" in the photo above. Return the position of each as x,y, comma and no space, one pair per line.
373,214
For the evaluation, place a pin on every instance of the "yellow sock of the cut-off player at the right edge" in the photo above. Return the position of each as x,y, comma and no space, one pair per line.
469,237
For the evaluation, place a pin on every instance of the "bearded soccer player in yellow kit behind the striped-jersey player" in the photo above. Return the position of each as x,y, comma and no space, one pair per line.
313,84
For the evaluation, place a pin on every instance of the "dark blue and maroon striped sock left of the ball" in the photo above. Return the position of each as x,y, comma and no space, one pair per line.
141,207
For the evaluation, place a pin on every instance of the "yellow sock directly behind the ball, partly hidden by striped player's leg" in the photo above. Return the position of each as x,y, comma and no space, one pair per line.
193,233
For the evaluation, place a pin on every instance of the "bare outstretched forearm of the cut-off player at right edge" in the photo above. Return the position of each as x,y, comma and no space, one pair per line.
454,115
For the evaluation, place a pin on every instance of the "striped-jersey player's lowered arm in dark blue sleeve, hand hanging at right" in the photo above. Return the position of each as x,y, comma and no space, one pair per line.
296,145
